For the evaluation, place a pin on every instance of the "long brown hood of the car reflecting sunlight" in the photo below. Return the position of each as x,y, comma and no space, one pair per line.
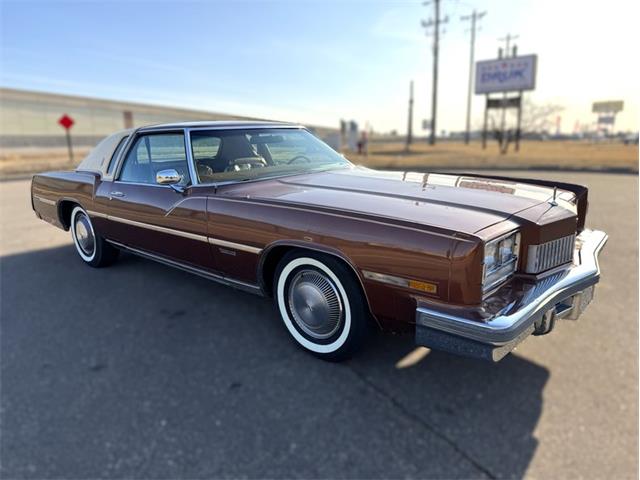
451,202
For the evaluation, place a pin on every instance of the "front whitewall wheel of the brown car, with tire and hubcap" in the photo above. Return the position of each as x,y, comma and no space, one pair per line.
321,304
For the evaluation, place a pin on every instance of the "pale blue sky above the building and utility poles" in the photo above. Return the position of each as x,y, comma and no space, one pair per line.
315,61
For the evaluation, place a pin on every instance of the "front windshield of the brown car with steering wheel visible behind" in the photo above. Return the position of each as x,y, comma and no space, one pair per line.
240,155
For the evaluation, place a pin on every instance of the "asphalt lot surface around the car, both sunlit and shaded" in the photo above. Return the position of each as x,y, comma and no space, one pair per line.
143,371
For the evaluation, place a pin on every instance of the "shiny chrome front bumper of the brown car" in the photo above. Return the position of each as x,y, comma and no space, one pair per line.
534,308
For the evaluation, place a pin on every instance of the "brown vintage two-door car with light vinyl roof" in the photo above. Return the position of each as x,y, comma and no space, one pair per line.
468,264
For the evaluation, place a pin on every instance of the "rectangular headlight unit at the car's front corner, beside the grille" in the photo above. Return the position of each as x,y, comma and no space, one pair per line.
500,260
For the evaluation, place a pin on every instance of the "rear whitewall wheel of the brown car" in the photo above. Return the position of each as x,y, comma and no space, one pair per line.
91,247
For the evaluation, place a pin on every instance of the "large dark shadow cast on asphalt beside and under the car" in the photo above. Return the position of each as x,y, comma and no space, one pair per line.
140,370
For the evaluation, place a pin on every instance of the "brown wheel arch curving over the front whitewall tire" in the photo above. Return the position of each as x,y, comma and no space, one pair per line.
273,253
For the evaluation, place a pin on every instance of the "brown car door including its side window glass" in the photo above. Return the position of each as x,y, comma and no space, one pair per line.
154,218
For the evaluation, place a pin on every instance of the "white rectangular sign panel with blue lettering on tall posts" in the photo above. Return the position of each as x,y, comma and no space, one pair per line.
506,74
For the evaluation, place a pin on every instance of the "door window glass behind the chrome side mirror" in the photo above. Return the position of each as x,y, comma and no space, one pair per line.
152,153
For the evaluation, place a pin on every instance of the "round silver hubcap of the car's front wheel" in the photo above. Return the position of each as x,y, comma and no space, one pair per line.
315,304
